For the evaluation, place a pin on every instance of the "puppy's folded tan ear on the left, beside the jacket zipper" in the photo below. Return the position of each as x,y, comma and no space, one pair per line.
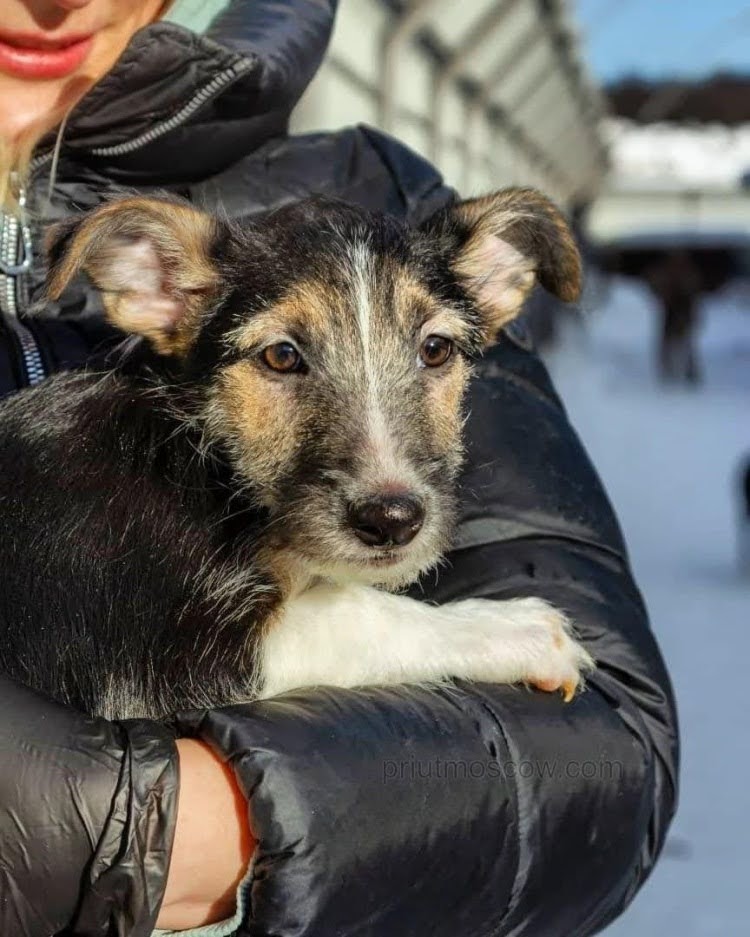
151,259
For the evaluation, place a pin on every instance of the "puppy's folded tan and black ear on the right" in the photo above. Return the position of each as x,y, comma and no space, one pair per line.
502,244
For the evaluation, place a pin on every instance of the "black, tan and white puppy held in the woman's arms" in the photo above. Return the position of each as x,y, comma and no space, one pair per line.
217,518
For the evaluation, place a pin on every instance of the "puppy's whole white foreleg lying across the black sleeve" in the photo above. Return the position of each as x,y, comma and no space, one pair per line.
356,635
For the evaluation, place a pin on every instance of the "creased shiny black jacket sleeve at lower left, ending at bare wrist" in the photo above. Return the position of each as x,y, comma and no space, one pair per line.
87,813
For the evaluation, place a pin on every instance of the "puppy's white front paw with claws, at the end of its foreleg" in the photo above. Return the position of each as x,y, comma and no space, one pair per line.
522,641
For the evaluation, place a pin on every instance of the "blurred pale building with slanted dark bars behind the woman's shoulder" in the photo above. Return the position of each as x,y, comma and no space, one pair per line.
494,92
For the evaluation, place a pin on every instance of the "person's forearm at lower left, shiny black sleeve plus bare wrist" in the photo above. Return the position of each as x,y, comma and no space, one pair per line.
88,811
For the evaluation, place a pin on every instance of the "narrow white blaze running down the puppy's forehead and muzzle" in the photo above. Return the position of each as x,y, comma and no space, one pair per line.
380,442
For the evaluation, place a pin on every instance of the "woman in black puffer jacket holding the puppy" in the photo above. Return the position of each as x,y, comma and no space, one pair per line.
381,811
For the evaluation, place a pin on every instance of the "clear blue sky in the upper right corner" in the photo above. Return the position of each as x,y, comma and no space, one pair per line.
660,38
